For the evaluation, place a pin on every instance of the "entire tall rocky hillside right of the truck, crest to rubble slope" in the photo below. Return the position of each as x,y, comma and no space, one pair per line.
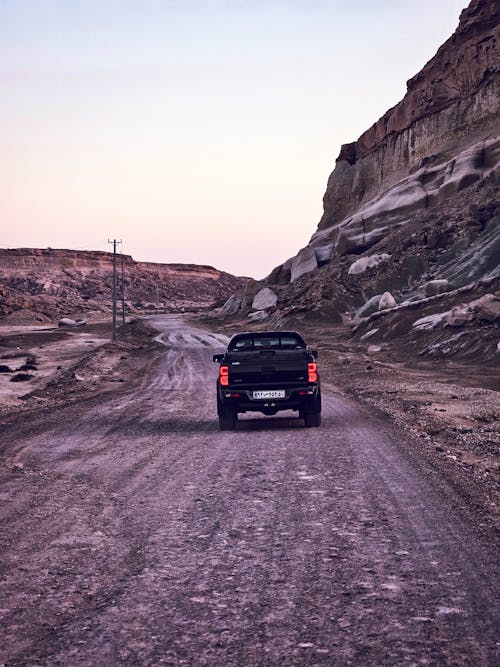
412,208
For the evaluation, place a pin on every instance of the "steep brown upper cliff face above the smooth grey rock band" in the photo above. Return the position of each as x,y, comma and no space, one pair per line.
452,98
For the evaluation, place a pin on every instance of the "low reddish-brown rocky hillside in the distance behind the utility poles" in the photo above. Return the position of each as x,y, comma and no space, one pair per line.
43,285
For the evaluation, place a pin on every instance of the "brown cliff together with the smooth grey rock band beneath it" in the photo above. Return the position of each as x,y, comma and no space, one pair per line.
440,139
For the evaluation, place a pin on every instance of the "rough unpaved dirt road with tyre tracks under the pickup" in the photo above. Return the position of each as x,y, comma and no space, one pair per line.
135,533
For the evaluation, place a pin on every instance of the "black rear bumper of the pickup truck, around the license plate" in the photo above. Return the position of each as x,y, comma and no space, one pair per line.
241,399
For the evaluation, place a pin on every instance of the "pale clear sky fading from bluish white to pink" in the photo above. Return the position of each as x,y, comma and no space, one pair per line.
196,131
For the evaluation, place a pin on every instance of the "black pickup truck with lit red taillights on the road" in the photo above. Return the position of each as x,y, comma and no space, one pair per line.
268,371
